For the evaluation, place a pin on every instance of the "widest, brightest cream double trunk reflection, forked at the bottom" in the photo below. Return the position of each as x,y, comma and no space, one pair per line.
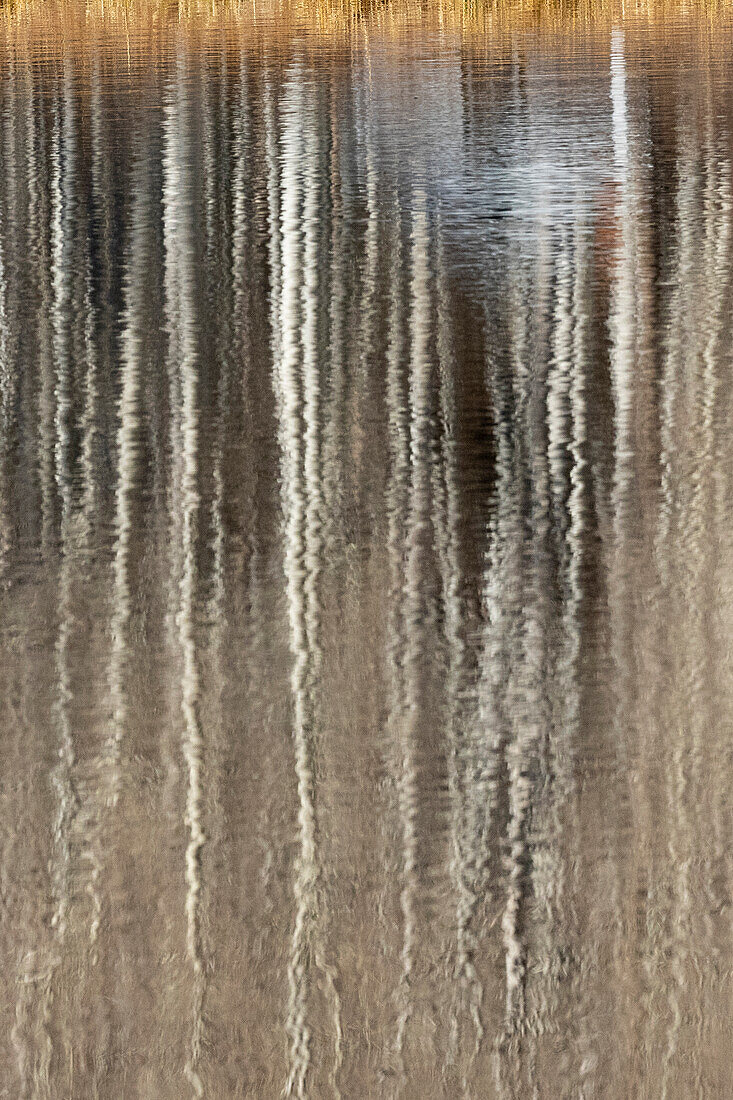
299,409
